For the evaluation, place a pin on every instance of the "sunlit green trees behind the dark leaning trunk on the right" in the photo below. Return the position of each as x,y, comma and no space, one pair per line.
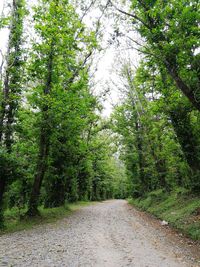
150,149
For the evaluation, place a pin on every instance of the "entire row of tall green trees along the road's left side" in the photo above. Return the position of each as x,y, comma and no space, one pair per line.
54,145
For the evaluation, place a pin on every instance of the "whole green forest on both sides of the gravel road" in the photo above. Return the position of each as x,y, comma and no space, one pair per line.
56,147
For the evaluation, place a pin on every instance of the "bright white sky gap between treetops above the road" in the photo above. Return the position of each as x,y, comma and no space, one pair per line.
111,60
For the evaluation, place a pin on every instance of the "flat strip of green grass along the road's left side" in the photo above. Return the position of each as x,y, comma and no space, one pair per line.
16,221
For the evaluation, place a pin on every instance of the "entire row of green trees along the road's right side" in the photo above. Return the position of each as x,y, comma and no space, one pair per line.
158,121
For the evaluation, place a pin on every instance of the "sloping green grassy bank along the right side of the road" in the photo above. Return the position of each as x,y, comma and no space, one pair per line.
179,208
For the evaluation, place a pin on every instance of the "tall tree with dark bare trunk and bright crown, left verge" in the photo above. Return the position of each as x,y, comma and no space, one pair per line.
59,69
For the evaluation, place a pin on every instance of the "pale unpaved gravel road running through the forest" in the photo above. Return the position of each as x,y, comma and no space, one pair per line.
110,234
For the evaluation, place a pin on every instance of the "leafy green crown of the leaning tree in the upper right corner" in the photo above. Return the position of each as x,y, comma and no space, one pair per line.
164,25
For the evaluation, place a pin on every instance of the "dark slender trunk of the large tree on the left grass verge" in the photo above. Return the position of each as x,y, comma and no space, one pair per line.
44,144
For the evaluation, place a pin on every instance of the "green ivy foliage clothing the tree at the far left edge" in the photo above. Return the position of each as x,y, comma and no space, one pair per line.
10,96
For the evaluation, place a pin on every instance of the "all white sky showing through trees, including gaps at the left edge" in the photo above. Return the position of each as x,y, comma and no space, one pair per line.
105,63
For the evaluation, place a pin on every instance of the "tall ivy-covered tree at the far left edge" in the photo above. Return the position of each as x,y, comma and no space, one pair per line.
12,87
